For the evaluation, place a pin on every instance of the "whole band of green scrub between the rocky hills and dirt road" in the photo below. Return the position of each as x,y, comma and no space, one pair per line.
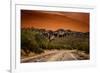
35,41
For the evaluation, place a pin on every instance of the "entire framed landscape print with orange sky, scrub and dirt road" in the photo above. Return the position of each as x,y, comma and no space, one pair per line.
54,36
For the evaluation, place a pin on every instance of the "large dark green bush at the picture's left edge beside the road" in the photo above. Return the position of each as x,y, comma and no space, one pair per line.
28,41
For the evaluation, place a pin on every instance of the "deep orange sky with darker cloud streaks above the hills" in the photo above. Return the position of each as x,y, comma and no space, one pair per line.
55,20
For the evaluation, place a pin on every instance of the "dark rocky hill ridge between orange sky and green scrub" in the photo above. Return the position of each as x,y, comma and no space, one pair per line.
59,32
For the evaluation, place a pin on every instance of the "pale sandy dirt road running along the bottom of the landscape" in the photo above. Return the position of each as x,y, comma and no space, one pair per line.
62,55
